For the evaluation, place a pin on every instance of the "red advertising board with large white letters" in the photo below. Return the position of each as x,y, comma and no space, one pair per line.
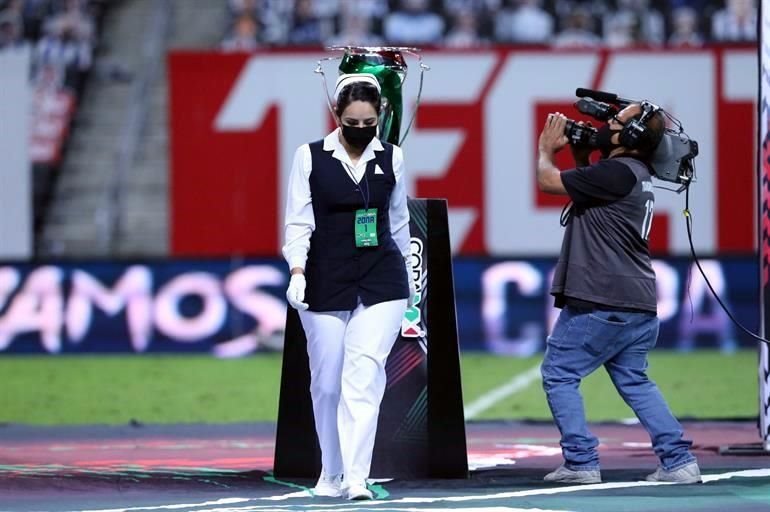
236,120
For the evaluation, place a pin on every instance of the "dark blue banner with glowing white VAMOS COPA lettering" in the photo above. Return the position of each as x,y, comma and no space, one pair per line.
231,308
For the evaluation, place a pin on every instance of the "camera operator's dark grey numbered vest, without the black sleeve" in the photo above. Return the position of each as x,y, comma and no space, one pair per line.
604,256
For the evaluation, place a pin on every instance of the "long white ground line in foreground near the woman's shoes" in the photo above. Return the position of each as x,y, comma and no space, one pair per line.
254,507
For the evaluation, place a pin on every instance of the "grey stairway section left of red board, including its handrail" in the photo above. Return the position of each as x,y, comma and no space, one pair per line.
112,196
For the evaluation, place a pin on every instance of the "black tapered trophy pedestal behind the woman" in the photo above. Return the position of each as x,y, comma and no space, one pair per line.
421,429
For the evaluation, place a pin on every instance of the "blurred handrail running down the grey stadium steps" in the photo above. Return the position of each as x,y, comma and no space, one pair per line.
108,216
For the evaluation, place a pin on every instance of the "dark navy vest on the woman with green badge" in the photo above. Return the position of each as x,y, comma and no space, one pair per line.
337,271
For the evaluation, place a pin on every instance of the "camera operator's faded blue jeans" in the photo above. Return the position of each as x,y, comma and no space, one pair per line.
584,340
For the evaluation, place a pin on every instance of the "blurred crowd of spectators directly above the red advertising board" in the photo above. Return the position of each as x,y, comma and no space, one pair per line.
474,23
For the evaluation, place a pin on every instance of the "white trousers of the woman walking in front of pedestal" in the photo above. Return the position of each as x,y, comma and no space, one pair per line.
347,352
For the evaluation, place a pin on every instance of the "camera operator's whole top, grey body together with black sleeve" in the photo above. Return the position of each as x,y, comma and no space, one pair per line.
605,260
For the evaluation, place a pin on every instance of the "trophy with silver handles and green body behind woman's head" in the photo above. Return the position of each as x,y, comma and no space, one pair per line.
388,64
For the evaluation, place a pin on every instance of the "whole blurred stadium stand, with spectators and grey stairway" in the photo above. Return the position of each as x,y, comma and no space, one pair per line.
99,135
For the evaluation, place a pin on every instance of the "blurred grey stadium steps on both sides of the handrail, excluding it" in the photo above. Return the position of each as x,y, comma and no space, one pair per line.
72,225
